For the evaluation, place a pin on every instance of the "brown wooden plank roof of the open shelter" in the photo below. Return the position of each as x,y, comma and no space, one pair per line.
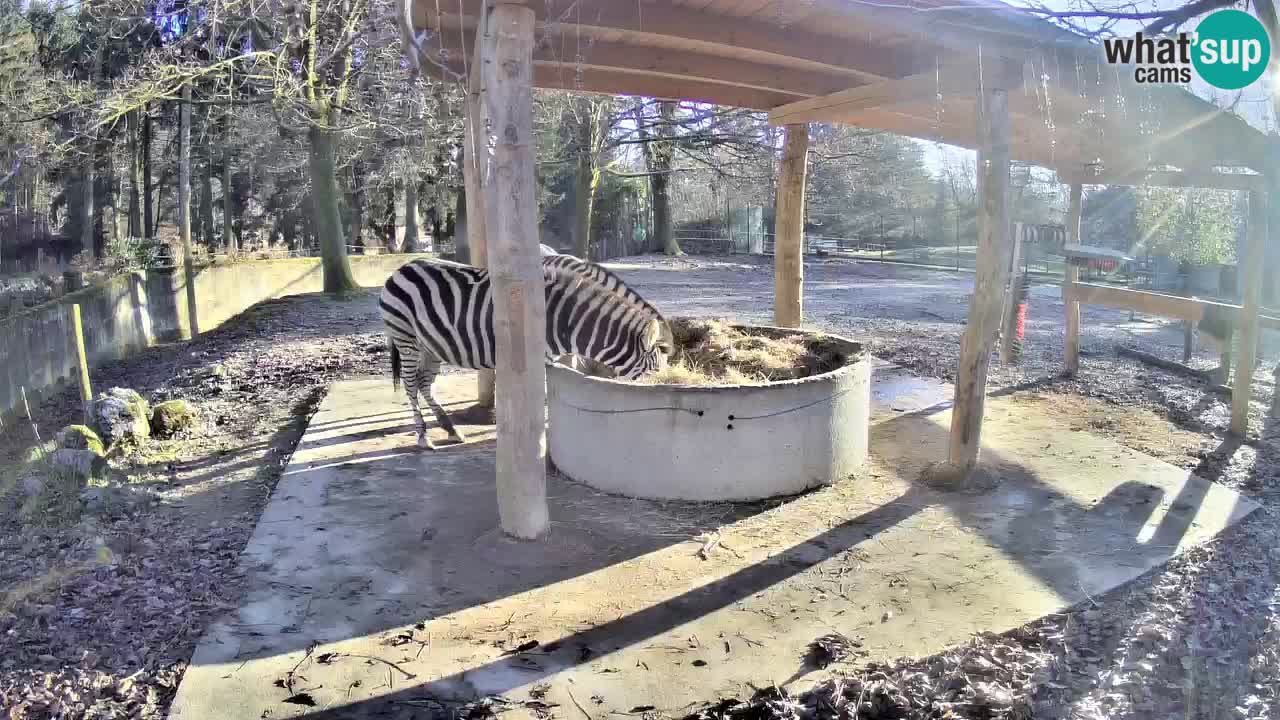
912,69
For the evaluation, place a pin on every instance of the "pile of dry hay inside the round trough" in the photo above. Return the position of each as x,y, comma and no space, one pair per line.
715,353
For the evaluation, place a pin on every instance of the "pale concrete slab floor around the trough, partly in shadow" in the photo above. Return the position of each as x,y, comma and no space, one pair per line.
381,589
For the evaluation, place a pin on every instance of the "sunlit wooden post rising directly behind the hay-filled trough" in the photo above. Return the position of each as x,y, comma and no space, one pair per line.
789,230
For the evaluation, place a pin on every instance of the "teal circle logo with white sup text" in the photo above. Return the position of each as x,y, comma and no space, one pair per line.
1231,49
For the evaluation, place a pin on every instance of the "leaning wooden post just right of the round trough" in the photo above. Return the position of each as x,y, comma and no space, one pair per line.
989,284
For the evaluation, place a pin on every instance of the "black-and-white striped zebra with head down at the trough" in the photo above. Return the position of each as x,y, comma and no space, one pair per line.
438,313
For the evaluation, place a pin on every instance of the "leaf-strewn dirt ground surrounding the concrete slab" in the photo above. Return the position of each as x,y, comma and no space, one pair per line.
98,619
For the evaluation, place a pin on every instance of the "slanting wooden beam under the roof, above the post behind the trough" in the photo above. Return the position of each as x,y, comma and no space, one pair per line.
913,89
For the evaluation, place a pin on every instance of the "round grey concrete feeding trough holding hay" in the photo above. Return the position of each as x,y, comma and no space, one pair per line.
735,443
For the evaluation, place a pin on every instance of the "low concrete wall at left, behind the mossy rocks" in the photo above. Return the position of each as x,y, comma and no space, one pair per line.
132,312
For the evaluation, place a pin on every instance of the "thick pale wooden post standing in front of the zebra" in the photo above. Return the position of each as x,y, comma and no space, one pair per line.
520,306
